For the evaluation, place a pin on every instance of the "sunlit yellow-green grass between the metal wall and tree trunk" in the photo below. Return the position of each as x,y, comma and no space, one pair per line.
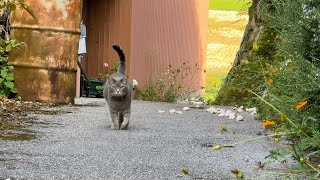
224,38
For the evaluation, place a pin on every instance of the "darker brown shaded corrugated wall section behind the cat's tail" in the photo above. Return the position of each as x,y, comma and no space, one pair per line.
108,22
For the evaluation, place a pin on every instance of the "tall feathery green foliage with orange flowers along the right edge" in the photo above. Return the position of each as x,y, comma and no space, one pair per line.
292,83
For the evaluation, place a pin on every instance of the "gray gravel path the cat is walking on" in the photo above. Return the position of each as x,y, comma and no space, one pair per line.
79,144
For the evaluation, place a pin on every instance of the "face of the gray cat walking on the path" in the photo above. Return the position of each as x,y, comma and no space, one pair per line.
118,86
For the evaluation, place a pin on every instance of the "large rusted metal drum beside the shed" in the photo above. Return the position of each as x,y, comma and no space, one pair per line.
45,68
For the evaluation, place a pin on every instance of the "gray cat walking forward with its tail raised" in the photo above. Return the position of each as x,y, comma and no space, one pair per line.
117,91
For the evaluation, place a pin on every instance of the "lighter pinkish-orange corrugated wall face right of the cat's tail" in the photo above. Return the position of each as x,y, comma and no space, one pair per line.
169,32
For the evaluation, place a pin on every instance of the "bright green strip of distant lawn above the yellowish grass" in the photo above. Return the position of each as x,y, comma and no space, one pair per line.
229,5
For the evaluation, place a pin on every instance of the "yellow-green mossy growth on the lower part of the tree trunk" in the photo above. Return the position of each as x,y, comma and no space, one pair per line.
252,73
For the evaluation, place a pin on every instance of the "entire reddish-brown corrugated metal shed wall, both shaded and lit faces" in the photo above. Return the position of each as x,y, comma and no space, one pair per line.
154,34
